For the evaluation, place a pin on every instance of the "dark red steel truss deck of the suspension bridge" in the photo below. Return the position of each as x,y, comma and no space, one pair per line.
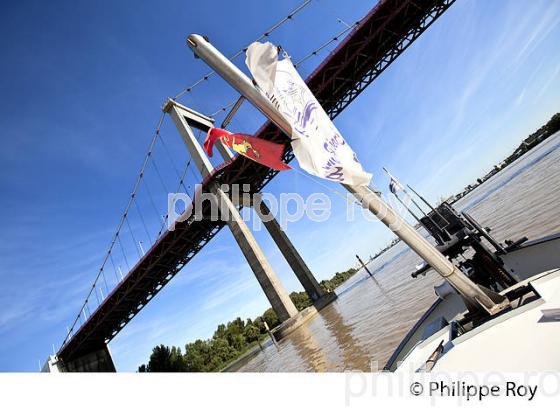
376,41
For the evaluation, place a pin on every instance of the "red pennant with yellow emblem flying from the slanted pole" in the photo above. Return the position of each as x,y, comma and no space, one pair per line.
262,151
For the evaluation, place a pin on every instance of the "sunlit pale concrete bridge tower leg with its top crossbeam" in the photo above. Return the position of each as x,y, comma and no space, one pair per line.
277,295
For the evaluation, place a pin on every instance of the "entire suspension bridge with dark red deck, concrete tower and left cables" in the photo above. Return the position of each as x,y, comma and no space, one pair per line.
371,45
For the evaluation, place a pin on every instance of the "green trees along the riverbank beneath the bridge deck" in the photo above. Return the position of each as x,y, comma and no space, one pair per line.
230,340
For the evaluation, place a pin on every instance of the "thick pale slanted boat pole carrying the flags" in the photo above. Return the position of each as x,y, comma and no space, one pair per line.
470,291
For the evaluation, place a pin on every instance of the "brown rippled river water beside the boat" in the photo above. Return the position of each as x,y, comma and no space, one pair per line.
362,328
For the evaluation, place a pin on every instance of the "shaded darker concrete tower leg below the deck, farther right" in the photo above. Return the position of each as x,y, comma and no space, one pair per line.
294,259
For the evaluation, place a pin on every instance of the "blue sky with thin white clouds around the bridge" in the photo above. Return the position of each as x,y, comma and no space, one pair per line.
82,86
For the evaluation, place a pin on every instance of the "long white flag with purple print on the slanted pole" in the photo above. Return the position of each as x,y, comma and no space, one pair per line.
317,144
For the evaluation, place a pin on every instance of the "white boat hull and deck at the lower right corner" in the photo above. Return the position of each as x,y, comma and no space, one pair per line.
520,340
